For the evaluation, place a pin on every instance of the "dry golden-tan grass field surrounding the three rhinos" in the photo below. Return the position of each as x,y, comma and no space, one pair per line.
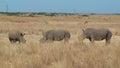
57,54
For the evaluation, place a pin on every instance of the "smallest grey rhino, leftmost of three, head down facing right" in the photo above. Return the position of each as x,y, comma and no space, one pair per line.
15,36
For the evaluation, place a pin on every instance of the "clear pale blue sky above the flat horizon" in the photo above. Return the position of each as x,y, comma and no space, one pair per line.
61,6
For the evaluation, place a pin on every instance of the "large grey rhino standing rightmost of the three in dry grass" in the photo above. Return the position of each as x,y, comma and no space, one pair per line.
97,34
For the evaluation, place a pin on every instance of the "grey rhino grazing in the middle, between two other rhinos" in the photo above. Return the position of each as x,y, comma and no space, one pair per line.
56,35
